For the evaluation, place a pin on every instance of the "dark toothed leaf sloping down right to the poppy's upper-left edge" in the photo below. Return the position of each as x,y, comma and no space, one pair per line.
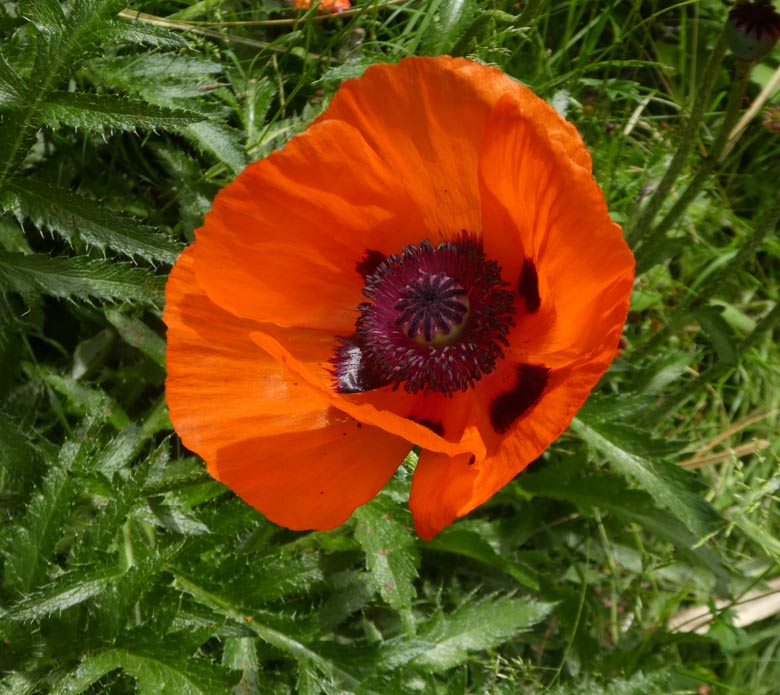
76,217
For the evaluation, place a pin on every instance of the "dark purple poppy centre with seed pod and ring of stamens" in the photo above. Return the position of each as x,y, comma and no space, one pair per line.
436,320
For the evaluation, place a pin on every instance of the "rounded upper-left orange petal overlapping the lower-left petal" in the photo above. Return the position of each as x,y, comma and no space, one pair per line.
281,242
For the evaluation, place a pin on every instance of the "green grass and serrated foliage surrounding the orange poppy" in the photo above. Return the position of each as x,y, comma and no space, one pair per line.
126,569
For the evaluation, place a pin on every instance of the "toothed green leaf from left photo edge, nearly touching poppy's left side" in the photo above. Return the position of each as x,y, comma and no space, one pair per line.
79,278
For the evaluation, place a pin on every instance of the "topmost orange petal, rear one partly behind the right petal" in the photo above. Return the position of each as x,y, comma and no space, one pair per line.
425,118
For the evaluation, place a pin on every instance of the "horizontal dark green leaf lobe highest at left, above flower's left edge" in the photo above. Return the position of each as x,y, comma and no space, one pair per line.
98,112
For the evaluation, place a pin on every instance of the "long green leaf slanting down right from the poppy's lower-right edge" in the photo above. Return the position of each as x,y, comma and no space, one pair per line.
667,483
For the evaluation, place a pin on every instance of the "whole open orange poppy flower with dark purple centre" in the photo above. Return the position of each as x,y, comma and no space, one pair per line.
431,263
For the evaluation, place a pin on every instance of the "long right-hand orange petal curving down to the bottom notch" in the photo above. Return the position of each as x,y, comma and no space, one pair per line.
585,272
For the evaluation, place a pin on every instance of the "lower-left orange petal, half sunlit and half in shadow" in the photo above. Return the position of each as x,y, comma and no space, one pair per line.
263,431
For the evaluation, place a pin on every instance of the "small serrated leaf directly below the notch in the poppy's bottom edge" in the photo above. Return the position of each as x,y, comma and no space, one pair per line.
391,554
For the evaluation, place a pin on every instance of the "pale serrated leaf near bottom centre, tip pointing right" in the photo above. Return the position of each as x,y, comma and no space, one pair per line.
476,626
